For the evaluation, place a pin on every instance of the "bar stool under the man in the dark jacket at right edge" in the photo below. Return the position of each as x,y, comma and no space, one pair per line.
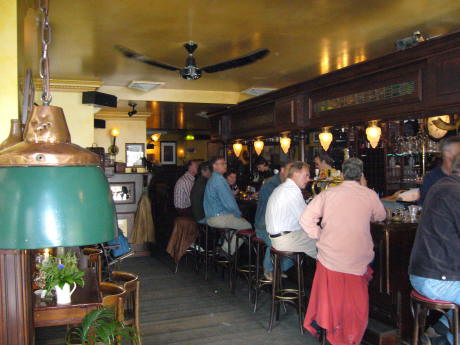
423,305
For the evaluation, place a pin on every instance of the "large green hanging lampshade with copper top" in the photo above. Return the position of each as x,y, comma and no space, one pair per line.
52,193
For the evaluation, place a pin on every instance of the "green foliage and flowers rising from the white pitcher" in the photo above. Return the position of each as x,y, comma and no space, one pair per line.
61,270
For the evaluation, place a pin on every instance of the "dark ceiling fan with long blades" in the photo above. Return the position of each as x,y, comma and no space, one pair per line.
191,71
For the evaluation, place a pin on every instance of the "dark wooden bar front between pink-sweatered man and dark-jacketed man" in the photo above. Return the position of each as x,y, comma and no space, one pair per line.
389,290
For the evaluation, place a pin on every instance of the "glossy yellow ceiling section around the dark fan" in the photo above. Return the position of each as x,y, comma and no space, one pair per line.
306,37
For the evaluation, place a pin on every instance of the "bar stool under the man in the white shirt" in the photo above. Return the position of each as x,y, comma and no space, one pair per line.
295,297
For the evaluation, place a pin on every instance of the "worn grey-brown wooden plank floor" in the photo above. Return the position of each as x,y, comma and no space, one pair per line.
184,309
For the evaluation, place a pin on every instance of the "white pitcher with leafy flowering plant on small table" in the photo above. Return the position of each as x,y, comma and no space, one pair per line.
60,273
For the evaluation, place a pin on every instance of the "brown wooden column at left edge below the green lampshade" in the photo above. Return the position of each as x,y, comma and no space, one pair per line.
16,327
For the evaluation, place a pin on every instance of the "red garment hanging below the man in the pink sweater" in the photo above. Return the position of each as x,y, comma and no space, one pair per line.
339,303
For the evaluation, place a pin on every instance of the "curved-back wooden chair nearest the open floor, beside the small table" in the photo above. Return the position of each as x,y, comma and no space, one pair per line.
131,284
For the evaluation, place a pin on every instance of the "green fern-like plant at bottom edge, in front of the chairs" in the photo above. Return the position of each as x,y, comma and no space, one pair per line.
100,327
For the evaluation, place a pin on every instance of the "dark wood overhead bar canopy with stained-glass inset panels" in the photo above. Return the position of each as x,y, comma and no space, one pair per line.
425,80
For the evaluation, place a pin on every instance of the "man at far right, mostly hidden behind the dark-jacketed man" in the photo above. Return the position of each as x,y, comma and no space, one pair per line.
450,147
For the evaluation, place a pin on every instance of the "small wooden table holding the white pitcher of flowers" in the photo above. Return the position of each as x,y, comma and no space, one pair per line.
84,299
